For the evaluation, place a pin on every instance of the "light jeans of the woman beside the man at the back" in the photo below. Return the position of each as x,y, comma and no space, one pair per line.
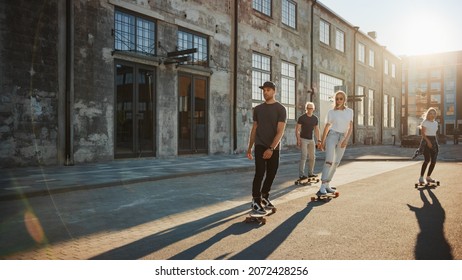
334,154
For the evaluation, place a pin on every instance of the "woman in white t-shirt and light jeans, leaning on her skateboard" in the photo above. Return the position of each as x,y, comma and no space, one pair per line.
337,132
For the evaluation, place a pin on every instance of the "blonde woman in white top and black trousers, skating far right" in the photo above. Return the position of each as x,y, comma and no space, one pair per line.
429,127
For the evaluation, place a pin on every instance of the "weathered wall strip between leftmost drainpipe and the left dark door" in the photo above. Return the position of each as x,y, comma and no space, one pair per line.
93,102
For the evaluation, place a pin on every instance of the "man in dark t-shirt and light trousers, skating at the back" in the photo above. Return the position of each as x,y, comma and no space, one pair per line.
306,125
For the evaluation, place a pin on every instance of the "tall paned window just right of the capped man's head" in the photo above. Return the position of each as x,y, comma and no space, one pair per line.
288,81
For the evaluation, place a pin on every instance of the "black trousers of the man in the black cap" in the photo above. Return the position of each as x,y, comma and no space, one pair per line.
269,166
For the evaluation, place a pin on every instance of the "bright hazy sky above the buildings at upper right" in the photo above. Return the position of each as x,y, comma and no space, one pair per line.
406,27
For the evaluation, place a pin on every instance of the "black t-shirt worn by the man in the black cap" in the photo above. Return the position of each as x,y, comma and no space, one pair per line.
267,117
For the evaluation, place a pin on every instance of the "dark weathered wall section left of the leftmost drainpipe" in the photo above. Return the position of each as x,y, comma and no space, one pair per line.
28,82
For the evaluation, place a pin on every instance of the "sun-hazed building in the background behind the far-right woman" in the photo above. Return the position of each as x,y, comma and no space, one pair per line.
432,81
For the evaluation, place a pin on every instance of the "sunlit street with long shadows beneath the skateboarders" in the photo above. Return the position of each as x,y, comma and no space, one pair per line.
379,215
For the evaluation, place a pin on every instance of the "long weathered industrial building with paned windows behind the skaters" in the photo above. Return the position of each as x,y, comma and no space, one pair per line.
89,81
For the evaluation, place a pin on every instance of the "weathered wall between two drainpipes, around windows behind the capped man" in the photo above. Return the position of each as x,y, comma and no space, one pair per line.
268,36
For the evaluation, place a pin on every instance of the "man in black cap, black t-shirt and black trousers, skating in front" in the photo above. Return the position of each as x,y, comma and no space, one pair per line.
269,122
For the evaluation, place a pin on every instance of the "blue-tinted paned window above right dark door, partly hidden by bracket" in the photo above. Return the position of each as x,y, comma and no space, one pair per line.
187,40
